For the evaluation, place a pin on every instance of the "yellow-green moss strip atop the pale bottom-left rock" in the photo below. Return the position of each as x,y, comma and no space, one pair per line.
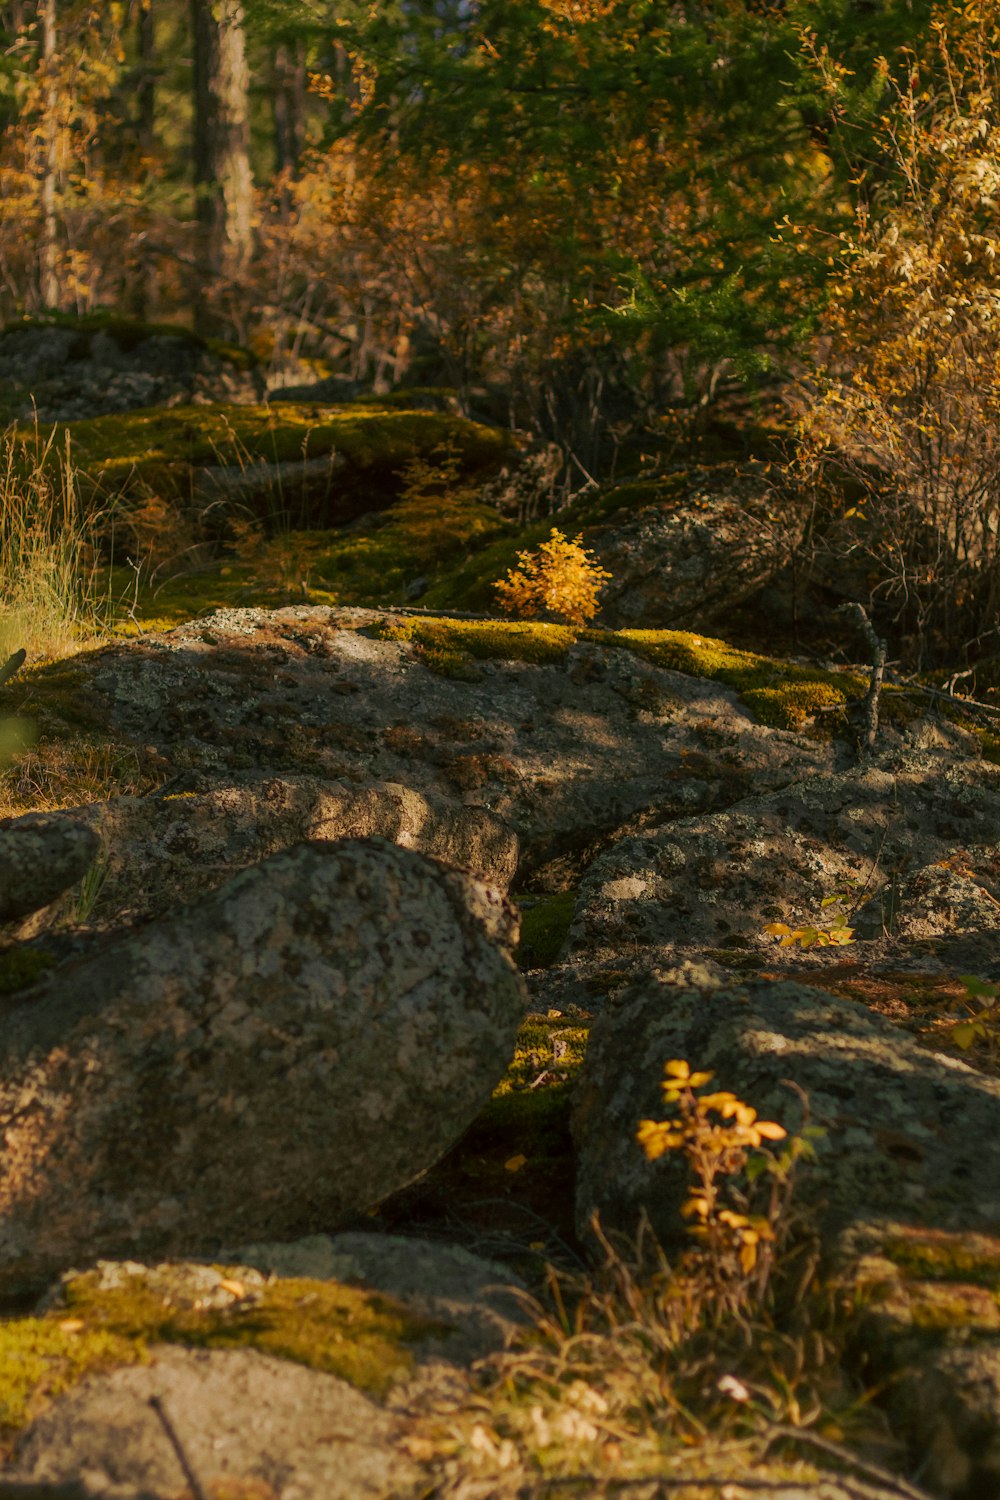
358,1336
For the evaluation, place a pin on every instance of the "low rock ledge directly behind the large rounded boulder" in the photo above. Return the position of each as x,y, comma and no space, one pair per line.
166,851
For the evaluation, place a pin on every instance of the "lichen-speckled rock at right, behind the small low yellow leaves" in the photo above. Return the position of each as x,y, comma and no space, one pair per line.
719,881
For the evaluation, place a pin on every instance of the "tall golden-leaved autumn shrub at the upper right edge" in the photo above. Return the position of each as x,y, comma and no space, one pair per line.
902,430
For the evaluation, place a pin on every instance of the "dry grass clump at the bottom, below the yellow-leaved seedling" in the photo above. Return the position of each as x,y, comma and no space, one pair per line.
627,1376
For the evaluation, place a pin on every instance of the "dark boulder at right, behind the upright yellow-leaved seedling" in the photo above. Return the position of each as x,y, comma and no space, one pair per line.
909,1133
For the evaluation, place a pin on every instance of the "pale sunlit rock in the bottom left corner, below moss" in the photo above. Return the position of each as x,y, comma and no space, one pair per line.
241,1417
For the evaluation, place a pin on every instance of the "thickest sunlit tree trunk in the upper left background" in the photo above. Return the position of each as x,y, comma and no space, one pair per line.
224,188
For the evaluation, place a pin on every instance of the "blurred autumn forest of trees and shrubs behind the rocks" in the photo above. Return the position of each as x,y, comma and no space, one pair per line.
596,221
